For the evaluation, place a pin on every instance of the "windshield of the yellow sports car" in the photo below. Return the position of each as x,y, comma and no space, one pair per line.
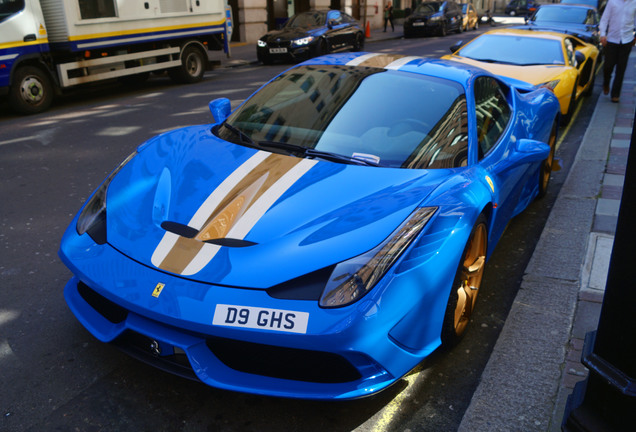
513,49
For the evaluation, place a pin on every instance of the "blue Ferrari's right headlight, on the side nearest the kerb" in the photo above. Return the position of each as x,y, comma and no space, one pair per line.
352,279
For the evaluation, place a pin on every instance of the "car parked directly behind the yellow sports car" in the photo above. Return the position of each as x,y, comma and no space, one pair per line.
578,20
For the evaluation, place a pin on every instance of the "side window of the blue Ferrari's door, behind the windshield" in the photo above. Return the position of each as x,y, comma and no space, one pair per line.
493,113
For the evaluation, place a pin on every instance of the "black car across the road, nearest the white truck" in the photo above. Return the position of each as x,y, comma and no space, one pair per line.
310,34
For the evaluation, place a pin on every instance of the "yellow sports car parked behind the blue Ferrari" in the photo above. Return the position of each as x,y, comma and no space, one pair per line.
563,63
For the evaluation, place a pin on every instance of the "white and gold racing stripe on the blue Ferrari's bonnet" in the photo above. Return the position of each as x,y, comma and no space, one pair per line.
231,210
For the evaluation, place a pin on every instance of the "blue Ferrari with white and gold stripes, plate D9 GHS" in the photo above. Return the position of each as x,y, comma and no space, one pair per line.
322,238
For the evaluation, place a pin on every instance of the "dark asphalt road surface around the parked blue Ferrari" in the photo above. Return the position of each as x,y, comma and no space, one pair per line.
56,377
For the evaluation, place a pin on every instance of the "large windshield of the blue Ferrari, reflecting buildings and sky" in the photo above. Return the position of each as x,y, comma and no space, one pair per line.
355,112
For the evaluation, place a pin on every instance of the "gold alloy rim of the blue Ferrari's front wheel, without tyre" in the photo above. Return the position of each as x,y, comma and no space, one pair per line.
472,271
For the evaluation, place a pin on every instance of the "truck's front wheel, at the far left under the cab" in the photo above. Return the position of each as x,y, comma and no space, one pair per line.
31,91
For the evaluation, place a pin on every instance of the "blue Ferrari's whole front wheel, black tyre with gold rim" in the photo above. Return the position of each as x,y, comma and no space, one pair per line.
463,296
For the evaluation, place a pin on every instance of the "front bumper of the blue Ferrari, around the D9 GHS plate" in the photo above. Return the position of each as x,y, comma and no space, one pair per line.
345,353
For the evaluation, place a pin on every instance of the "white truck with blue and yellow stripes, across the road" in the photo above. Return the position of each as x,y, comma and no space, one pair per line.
49,46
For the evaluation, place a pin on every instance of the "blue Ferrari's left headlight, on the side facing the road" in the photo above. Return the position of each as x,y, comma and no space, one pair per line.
92,219
